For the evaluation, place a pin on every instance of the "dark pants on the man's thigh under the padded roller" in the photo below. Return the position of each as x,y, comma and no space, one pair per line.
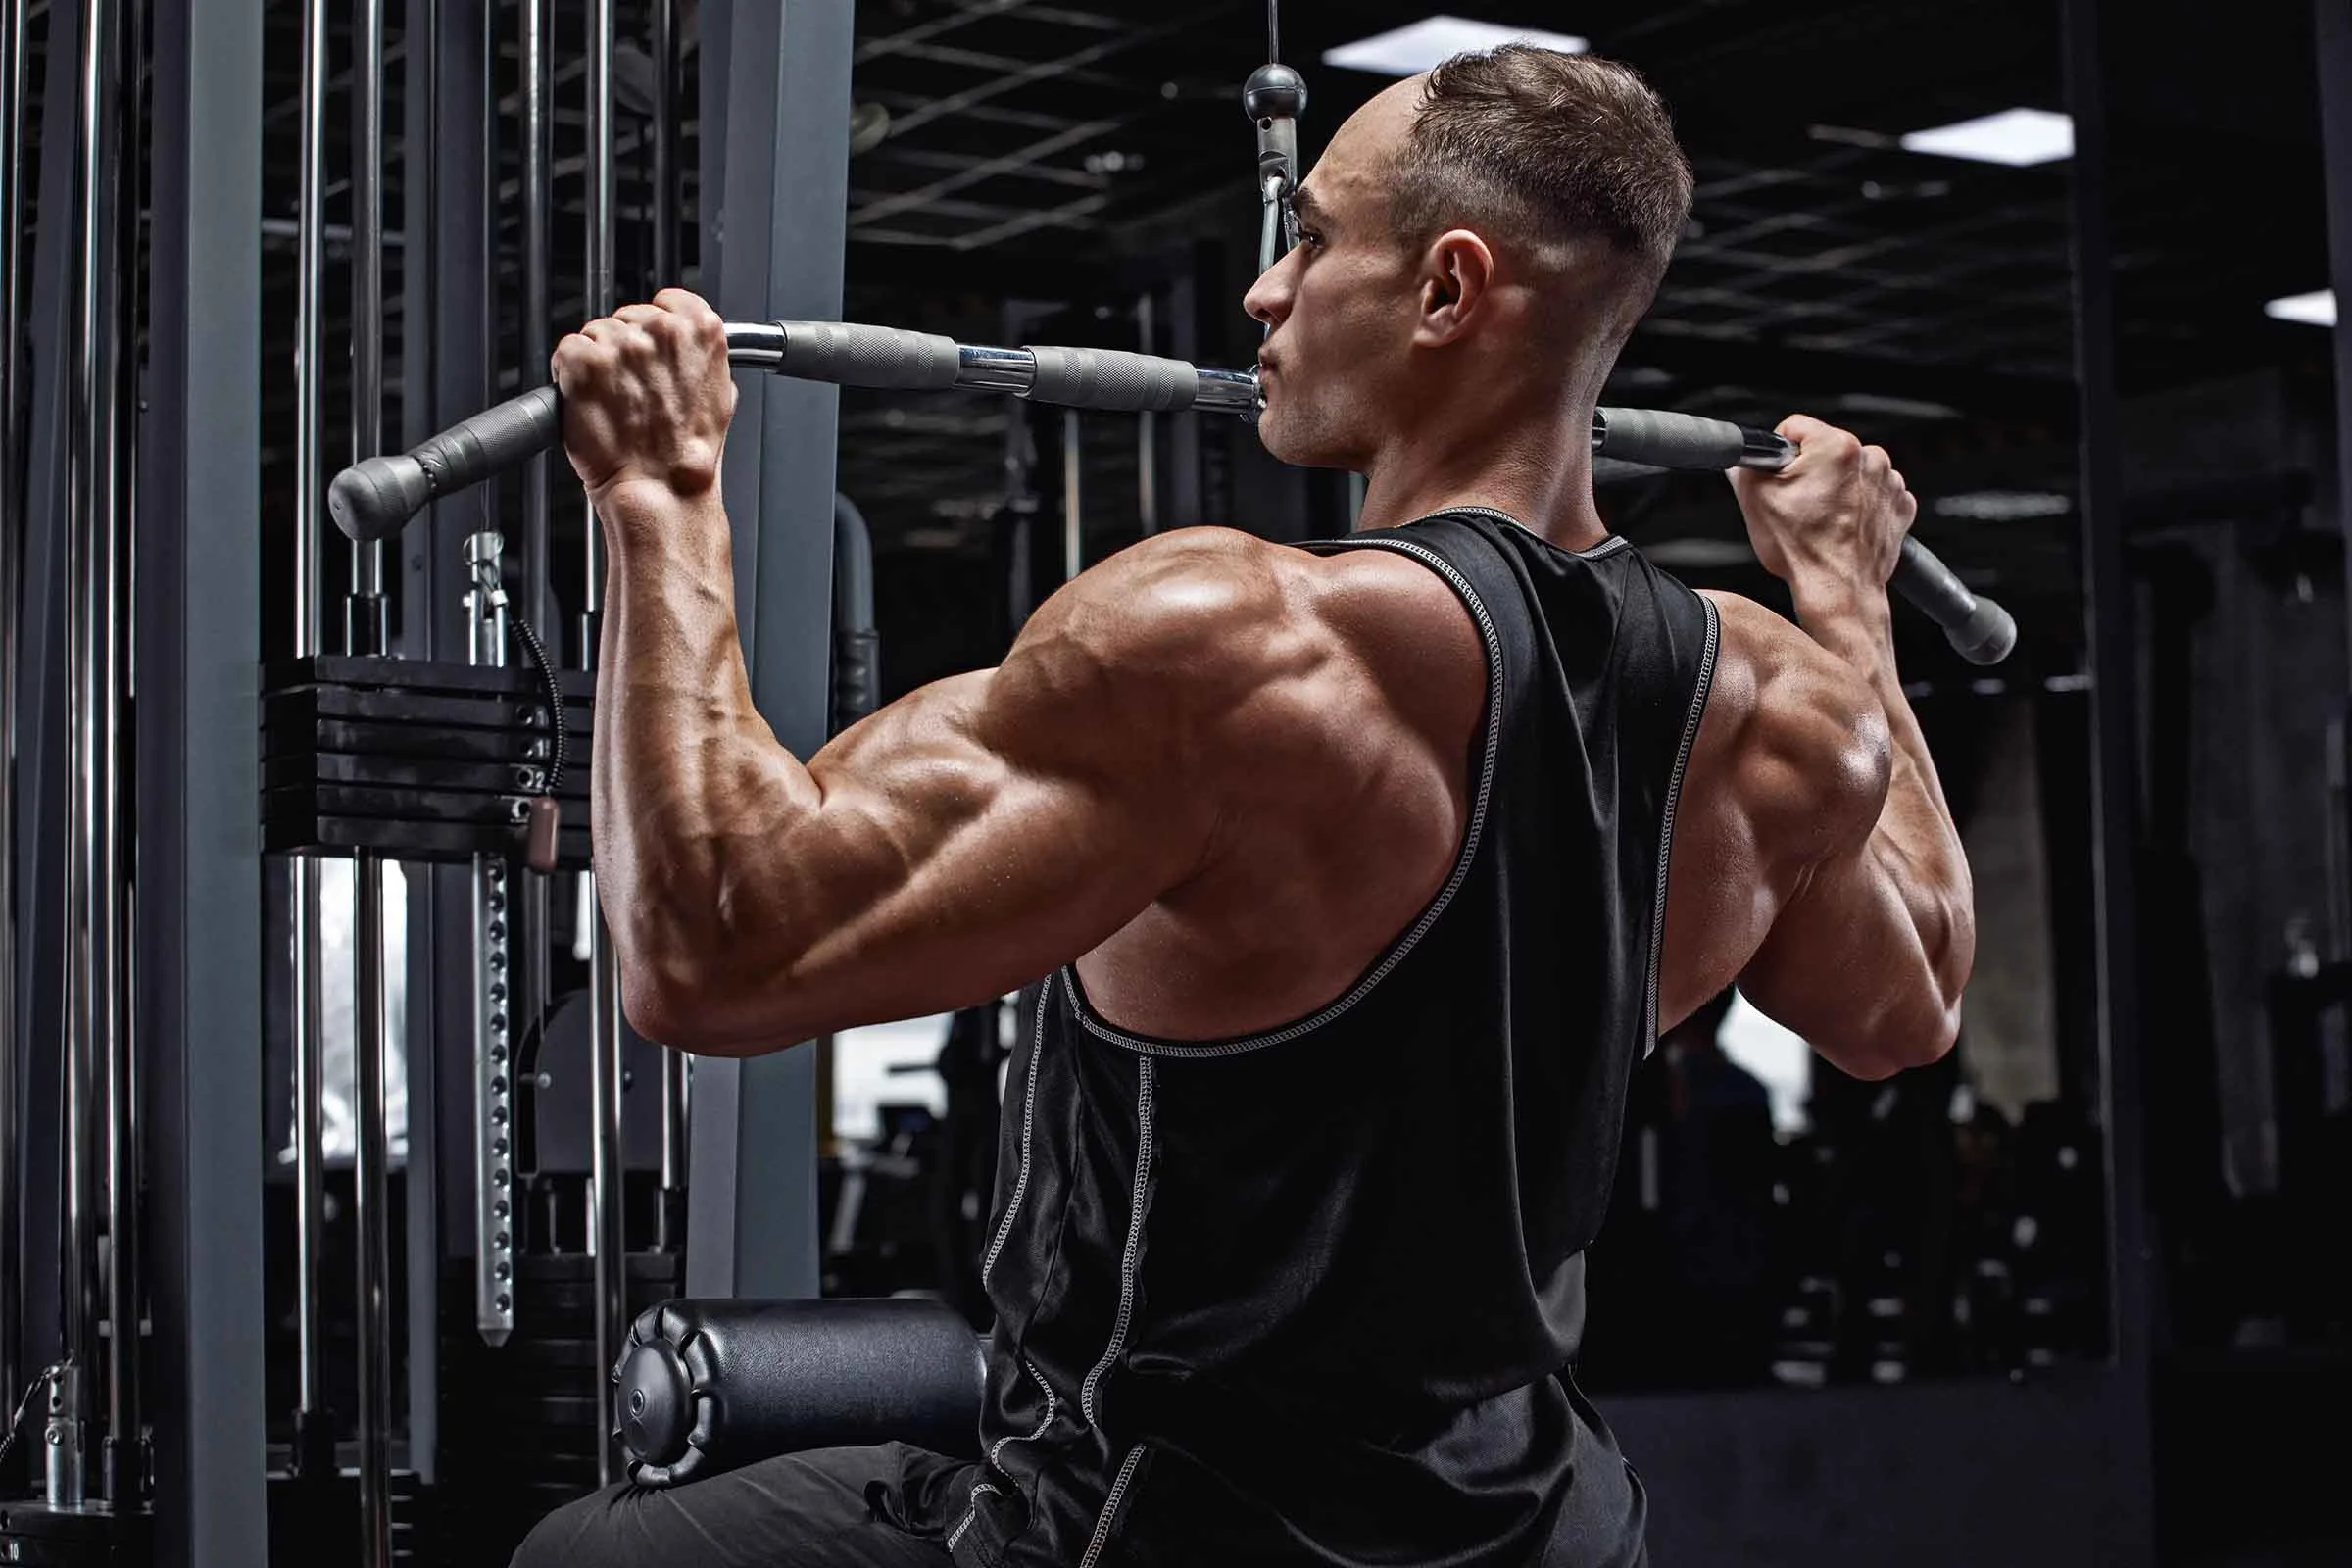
836,1508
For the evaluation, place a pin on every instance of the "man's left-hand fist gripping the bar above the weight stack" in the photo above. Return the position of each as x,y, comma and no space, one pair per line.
648,396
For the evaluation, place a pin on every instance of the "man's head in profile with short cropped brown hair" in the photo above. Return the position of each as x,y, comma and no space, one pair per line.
1492,229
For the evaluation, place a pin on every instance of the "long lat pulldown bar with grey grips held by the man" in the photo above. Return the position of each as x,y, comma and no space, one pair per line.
375,500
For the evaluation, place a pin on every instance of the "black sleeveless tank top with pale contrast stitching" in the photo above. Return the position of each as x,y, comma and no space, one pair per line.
1314,1296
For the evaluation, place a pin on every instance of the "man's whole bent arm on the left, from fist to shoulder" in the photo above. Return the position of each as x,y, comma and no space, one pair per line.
956,845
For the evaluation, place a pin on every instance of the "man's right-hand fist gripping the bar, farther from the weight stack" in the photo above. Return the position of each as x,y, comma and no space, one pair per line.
1840,509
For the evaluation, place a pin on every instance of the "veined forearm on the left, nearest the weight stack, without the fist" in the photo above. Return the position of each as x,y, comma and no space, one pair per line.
683,763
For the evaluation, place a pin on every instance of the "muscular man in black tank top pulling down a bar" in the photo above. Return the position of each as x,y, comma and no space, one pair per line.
1363,873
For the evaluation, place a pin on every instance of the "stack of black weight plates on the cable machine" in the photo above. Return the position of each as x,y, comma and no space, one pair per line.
417,760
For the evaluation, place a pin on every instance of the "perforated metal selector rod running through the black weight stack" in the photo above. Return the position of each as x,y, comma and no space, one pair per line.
493,1005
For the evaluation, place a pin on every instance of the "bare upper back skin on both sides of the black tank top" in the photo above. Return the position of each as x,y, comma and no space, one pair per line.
1354,782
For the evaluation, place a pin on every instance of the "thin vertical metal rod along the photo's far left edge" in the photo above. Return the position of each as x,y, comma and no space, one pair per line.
11,610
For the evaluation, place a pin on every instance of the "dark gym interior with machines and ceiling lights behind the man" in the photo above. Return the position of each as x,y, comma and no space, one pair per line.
333,1177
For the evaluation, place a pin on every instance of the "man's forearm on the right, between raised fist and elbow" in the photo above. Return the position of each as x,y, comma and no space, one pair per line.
1916,840
